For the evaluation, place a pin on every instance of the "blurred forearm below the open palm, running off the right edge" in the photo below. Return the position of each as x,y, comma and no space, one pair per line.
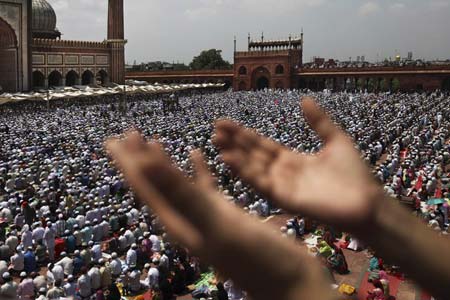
401,239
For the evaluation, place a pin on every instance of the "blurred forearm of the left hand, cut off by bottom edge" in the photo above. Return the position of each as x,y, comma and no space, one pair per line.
266,265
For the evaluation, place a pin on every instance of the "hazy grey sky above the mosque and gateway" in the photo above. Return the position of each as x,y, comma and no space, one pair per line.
176,30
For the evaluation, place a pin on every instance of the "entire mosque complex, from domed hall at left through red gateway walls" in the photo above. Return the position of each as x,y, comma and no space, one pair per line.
33,56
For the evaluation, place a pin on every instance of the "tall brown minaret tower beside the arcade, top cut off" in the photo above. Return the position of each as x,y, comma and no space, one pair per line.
116,41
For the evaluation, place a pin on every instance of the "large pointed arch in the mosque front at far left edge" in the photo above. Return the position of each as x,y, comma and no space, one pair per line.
8,58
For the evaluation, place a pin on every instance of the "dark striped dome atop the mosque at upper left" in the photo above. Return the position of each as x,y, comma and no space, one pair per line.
44,20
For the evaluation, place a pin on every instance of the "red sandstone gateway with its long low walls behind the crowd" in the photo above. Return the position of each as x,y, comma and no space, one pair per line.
278,64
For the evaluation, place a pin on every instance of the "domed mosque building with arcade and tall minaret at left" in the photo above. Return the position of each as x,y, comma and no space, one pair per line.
33,55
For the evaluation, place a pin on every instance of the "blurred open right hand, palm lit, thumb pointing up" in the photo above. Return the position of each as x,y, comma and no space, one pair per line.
334,186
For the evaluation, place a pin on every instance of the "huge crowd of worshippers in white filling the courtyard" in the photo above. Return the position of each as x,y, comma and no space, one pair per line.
71,227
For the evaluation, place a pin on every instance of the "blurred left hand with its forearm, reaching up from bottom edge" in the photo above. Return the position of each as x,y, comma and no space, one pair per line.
249,252
